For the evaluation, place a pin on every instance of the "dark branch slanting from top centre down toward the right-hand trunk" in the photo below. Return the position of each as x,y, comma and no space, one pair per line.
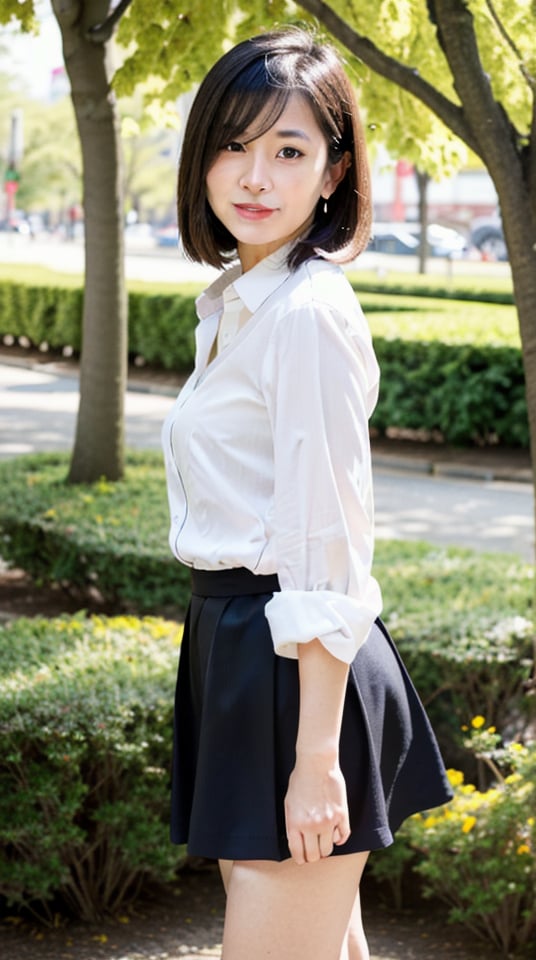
406,77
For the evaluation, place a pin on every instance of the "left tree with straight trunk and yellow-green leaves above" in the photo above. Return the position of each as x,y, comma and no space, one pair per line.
192,42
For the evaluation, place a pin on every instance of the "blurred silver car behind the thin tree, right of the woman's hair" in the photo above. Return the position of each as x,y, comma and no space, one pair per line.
404,238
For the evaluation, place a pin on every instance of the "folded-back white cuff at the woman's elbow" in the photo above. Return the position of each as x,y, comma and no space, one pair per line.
341,623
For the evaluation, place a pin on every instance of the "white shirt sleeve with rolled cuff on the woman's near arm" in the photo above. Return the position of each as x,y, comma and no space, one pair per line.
320,382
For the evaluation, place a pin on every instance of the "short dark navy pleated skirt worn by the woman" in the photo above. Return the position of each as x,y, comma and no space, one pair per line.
236,718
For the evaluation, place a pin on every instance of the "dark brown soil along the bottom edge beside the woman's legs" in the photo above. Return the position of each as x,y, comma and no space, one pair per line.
185,922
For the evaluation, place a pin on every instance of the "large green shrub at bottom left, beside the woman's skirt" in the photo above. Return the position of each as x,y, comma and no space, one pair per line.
85,721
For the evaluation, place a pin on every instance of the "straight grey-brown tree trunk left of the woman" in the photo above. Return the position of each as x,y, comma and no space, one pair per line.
99,443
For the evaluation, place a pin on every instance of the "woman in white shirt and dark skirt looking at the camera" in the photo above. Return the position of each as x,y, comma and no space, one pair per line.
300,744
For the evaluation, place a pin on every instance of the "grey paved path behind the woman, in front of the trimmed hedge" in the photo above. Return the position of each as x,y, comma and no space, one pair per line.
38,412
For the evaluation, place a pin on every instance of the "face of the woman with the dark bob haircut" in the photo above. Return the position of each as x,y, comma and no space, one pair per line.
265,191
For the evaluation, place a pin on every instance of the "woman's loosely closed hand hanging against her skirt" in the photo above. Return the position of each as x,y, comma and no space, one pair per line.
316,809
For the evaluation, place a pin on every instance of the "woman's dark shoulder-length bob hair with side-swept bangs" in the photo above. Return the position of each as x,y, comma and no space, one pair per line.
248,88
